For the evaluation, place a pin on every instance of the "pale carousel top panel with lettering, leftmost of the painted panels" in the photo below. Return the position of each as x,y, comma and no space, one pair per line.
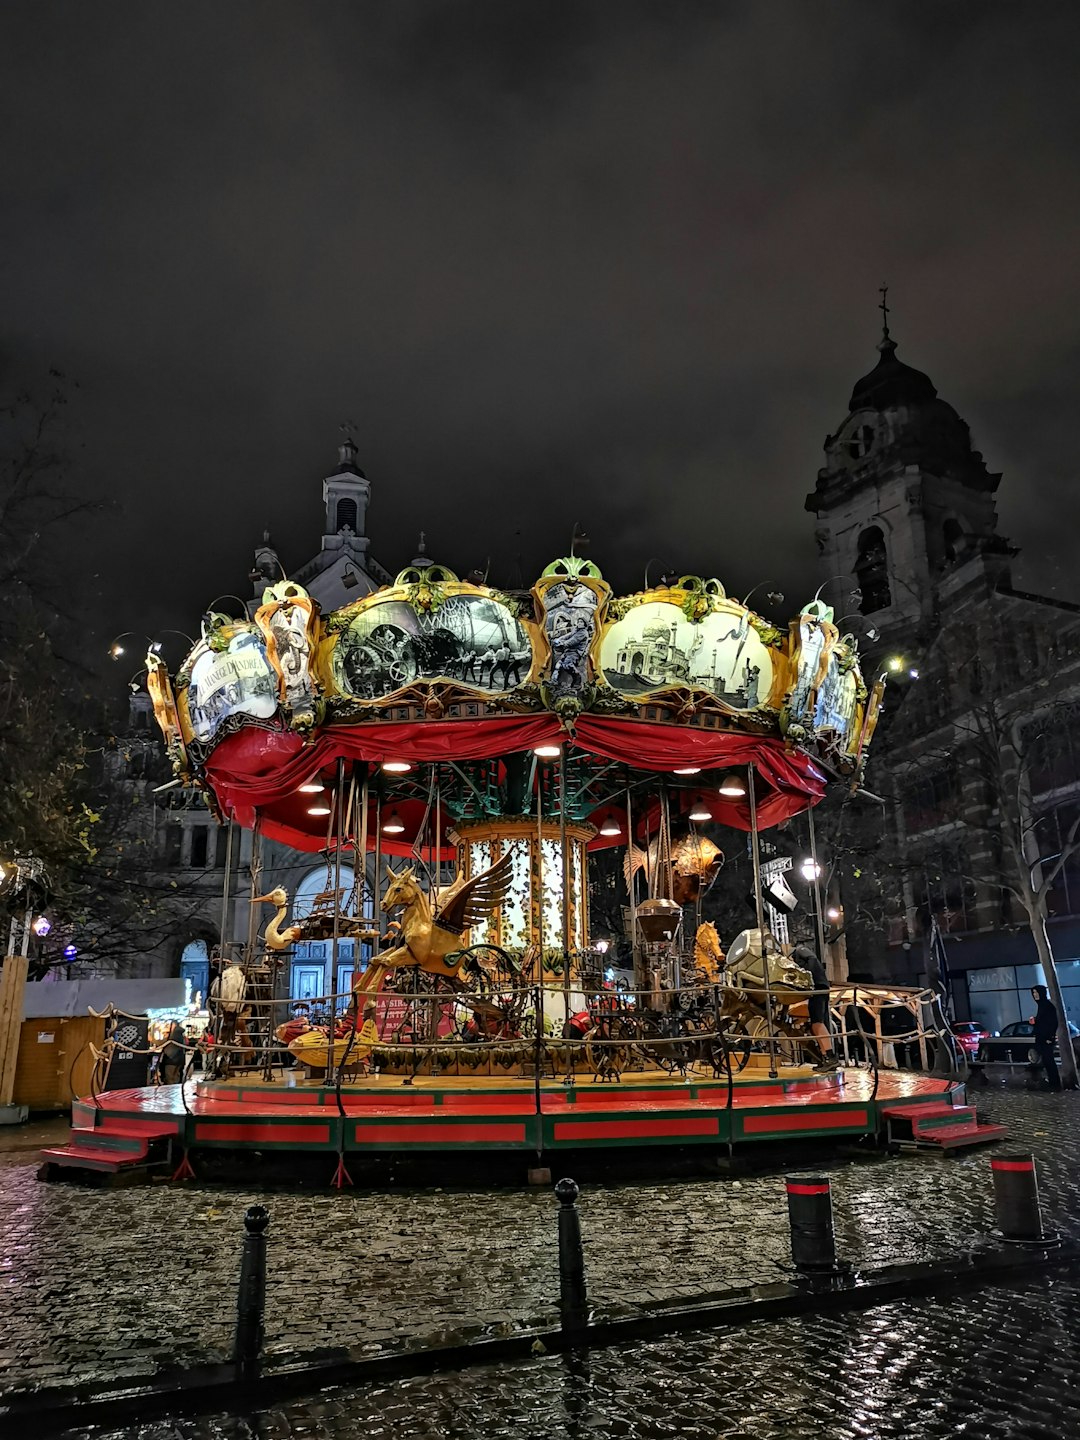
230,675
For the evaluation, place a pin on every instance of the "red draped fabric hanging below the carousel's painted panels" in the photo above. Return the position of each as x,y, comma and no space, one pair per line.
261,771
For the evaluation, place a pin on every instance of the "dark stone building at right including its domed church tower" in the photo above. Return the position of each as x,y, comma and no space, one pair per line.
914,564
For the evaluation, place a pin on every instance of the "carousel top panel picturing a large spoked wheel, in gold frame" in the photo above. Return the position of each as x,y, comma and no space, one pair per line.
438,630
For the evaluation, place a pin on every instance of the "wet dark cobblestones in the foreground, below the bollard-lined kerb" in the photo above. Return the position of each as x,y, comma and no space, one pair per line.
999,1366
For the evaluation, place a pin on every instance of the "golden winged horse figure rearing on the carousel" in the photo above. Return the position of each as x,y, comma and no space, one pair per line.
430,937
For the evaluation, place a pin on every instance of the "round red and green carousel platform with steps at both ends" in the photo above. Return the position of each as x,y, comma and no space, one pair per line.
382,1115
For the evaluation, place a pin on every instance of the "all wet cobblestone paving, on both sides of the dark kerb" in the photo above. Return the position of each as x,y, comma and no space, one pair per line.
99,1284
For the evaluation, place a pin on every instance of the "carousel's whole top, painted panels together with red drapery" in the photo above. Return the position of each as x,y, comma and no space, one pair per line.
499,690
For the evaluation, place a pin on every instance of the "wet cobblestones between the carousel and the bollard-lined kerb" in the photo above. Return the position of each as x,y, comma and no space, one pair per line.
100,1284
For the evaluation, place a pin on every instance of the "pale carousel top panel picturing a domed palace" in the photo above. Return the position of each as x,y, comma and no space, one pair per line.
698,642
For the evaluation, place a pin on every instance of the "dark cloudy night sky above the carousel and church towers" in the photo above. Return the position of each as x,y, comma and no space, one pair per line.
614,264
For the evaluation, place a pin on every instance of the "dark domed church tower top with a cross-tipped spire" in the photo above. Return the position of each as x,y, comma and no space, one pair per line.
905,505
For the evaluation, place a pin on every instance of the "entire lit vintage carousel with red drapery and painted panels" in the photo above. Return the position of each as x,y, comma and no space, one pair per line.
473,760
